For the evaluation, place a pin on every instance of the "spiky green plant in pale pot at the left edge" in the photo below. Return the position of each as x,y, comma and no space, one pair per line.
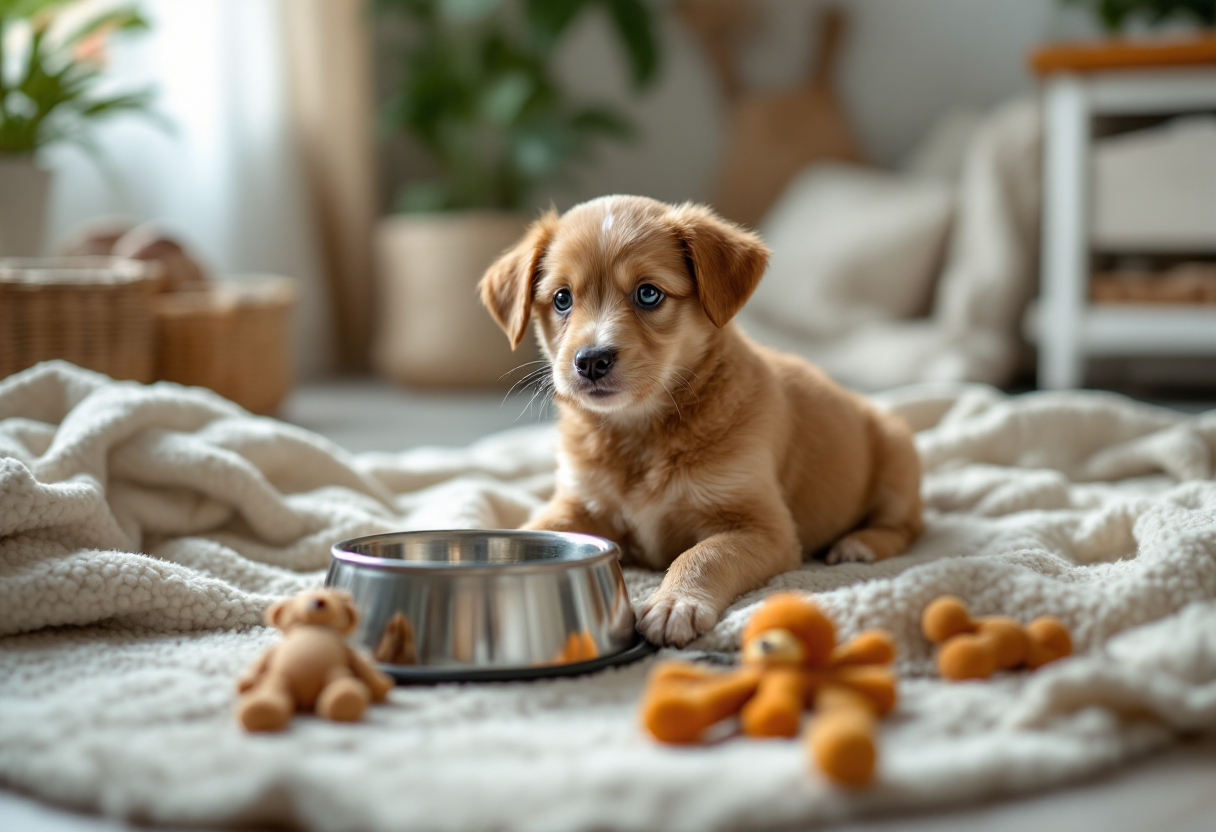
53,57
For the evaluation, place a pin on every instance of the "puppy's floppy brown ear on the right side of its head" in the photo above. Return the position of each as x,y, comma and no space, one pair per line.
727,260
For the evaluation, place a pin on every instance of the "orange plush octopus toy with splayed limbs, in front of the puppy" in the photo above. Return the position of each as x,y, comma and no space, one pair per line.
791,662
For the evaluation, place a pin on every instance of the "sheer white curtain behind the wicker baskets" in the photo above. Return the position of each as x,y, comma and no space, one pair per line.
227,178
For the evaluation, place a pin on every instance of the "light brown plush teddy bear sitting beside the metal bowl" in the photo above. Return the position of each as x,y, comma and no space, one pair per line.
312,668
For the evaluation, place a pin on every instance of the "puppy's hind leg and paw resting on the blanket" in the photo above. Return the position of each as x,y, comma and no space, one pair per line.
896,514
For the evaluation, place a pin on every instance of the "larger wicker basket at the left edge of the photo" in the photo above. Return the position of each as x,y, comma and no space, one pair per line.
95,312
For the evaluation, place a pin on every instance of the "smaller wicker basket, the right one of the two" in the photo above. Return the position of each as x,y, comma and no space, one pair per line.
234,339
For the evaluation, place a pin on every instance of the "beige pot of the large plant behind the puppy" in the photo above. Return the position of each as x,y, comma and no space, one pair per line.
434,330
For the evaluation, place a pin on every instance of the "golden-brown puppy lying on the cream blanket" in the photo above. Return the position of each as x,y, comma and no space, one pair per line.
695,449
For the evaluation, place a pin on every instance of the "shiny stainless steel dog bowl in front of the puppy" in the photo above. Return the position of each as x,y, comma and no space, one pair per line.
463,606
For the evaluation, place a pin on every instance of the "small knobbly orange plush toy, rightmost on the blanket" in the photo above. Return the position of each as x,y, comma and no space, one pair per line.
978,648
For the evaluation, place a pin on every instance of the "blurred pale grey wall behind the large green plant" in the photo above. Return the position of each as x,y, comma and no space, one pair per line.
905,65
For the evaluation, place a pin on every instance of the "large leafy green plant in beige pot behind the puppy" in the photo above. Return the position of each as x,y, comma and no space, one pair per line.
477,93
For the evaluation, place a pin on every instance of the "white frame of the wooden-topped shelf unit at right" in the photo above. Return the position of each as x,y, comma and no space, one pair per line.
1066,327
